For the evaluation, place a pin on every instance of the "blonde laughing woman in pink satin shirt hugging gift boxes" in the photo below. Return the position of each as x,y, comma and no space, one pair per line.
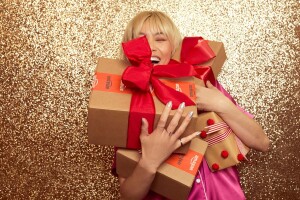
163,38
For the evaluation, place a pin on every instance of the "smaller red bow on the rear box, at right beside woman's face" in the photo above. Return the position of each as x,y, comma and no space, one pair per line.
196,51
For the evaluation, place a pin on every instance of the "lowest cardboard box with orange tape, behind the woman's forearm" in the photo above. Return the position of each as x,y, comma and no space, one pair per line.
175,176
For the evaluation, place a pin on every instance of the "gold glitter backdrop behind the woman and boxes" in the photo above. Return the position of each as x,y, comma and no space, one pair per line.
49,51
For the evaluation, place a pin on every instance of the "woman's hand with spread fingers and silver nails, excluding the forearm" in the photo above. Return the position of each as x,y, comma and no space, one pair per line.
159,145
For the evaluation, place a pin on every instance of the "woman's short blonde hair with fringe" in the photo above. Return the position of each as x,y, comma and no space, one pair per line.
158,21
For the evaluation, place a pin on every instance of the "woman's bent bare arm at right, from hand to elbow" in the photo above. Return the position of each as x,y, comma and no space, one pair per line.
247,129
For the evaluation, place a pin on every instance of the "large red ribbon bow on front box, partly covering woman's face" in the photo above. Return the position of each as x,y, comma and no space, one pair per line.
140,76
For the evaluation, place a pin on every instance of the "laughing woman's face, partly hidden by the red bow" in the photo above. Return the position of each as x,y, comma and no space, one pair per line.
160,44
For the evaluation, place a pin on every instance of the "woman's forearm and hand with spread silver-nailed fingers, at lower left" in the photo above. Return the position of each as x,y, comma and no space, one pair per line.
156,148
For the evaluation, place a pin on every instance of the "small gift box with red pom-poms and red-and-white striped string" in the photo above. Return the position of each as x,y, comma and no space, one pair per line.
221,141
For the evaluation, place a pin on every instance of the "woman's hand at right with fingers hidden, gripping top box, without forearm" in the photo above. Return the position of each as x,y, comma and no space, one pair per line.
211,99
